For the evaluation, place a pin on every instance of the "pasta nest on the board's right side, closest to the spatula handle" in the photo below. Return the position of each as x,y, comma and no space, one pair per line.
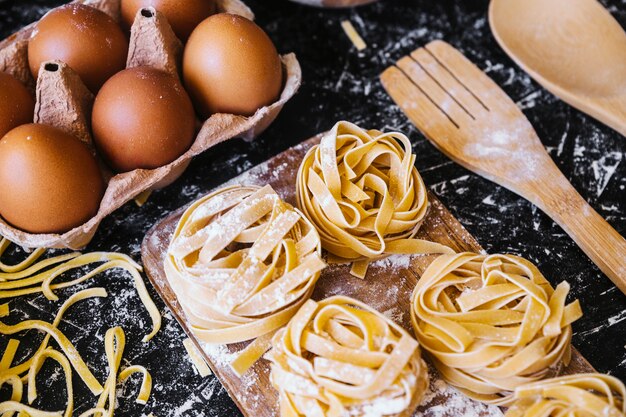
491,323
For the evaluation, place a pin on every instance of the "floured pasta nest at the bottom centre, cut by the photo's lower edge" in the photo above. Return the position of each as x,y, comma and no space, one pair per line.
340,357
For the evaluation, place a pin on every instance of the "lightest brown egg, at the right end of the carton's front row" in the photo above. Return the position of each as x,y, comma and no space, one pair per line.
231,66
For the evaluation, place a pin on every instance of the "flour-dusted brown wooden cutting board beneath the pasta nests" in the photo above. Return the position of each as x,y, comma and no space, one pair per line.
387,288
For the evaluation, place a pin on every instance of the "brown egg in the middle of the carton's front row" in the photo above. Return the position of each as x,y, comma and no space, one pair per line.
142,118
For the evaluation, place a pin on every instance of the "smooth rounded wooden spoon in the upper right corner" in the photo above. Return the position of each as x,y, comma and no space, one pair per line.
573,48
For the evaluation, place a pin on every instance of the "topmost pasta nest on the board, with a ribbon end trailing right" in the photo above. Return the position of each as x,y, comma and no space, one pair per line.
364,195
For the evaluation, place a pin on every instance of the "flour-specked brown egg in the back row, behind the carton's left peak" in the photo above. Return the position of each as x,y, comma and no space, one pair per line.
86,39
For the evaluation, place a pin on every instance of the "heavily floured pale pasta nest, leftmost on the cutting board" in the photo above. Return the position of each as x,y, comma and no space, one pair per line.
241,263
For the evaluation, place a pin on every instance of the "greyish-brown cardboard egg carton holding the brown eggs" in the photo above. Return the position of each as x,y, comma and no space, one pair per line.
62,100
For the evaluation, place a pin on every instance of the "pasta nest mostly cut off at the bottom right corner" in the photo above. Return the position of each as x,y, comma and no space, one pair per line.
580,395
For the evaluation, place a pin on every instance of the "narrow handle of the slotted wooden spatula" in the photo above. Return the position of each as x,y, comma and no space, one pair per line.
601,242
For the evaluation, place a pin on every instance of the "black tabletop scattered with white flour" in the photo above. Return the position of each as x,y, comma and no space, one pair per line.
340,83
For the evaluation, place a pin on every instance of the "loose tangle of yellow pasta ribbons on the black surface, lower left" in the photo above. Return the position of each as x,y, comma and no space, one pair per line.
28,277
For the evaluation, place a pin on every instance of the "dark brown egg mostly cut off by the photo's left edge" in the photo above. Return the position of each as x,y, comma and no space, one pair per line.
16,103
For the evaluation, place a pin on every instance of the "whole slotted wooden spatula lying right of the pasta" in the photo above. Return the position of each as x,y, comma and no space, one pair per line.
471,120
